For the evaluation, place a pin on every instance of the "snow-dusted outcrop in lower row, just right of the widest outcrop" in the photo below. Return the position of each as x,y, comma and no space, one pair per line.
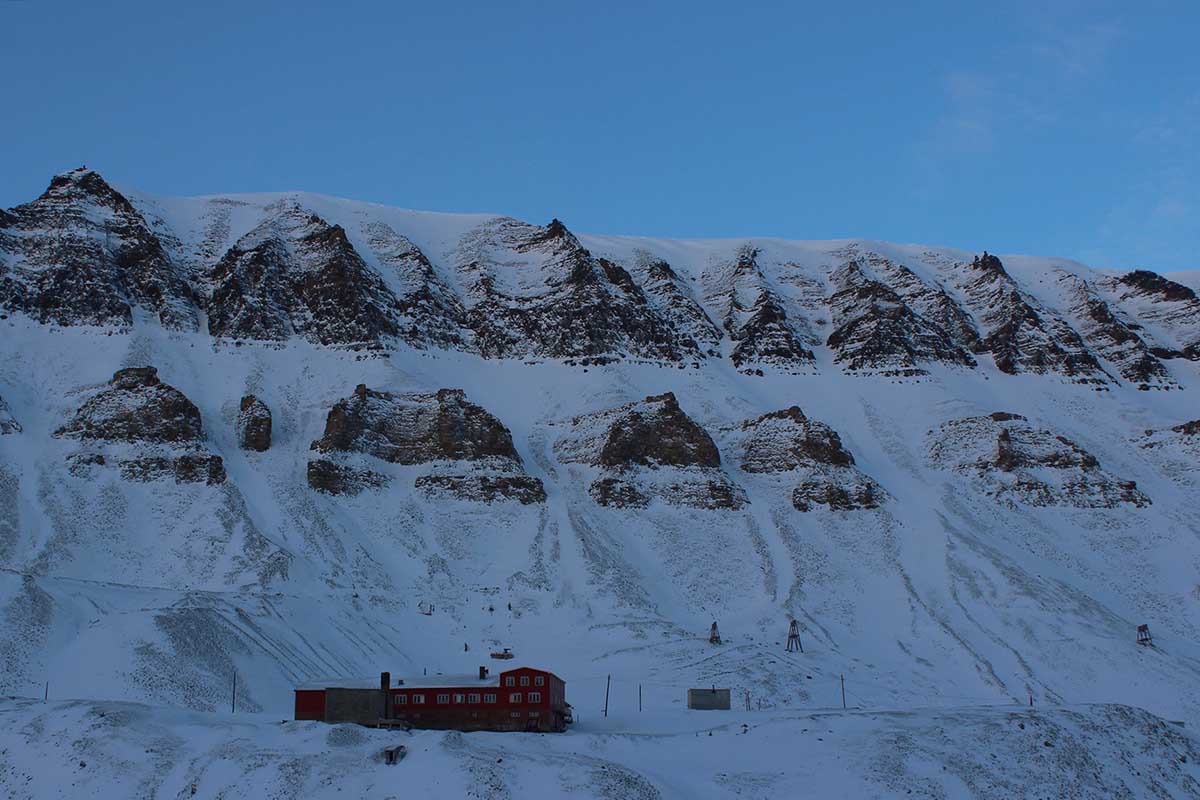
647,450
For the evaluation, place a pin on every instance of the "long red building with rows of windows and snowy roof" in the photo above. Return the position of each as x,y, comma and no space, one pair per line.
520,700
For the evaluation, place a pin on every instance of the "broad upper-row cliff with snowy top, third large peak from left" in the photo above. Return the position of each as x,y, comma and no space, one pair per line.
563,303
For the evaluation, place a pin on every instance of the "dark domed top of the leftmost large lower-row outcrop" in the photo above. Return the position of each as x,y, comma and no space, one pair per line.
136,408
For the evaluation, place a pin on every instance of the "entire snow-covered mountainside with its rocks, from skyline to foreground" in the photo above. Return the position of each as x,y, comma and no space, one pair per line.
249,442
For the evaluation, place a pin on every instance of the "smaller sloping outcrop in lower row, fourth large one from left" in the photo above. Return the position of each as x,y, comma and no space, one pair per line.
808,455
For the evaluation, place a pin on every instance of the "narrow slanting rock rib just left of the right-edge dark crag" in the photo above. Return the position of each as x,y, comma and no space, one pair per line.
1113,336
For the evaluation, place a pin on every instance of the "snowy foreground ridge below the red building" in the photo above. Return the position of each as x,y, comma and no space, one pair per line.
128,750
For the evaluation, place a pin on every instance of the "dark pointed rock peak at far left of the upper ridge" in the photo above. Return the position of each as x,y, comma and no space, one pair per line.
82,255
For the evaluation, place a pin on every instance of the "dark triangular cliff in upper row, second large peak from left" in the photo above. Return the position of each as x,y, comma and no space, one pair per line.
298,275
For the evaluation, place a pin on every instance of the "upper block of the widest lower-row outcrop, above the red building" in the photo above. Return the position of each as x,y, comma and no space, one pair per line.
416,429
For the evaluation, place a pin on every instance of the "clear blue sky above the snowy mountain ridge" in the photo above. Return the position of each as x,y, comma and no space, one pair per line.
1051,128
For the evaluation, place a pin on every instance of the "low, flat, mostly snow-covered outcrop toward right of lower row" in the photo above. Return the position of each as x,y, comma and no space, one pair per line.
1012,461
